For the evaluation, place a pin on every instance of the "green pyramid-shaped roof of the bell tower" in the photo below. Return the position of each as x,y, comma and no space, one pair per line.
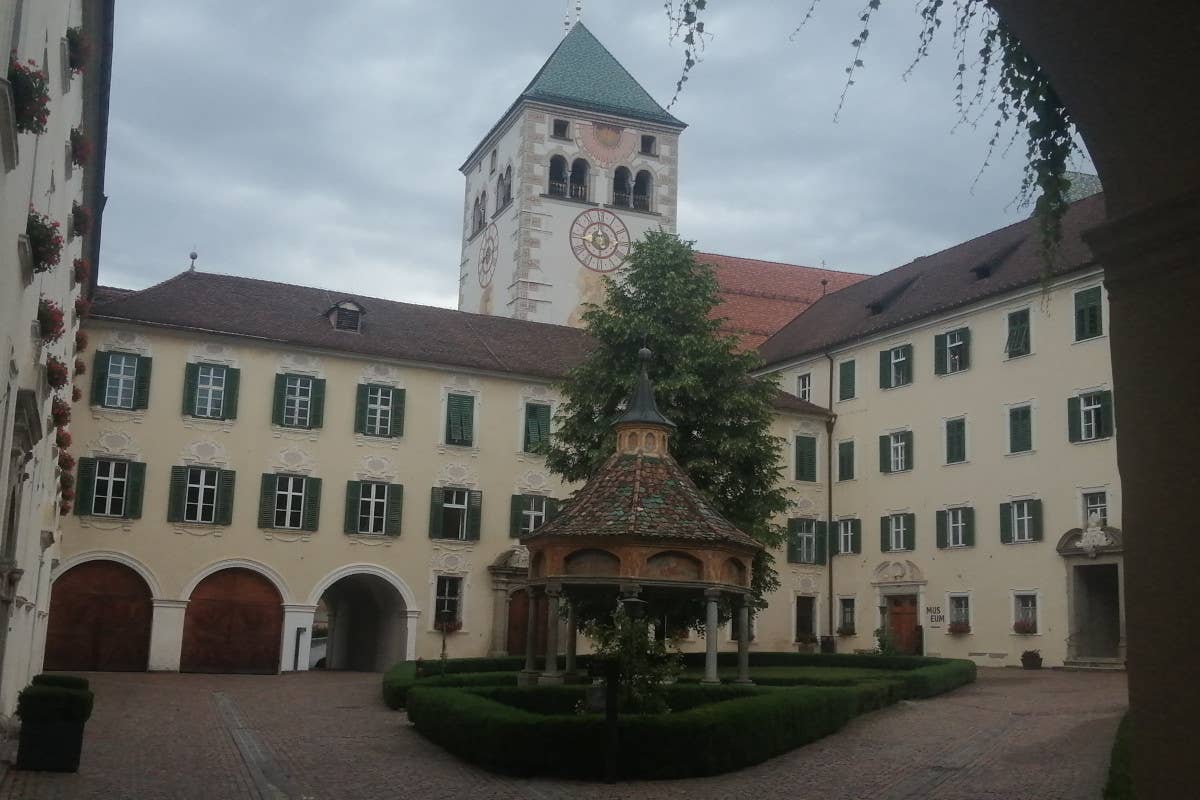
583,74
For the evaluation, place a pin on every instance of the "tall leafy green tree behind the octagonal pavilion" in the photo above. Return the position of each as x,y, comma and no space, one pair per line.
664,300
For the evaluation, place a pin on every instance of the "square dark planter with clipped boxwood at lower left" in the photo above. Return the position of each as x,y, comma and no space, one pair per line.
53,712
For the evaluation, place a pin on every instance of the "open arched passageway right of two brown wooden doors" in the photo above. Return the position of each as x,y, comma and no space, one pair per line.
367,623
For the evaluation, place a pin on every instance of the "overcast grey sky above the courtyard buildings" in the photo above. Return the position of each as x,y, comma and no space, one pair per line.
319,143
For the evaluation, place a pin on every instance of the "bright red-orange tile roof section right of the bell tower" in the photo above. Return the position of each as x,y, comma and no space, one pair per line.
759,298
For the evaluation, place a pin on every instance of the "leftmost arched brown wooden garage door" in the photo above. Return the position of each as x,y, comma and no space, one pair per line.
100,619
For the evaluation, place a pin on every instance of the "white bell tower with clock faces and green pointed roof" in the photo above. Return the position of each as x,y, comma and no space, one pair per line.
583,165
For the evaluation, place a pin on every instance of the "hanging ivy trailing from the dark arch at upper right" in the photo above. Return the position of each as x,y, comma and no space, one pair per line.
1007,80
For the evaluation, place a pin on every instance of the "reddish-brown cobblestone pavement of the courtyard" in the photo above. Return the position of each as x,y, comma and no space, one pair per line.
1013,736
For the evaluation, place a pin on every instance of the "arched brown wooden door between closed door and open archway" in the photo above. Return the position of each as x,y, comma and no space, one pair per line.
233,624
